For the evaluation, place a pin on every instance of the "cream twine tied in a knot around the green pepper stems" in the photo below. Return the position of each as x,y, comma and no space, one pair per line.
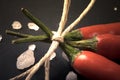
55,43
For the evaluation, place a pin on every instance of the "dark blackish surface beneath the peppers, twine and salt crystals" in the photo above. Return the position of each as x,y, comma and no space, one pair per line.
48,11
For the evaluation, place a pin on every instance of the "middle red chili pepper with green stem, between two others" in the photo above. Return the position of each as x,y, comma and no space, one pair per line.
107,45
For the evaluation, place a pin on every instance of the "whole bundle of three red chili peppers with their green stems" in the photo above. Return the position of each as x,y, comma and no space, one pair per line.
90,49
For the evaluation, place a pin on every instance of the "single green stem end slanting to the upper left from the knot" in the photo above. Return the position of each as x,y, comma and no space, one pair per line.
38,22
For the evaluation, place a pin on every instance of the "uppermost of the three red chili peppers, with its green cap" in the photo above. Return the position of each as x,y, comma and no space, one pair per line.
93,30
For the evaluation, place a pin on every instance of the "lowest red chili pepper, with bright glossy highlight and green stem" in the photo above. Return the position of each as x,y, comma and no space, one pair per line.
92,65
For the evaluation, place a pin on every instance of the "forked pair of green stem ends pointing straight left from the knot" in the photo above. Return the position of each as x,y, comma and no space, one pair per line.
27,37
